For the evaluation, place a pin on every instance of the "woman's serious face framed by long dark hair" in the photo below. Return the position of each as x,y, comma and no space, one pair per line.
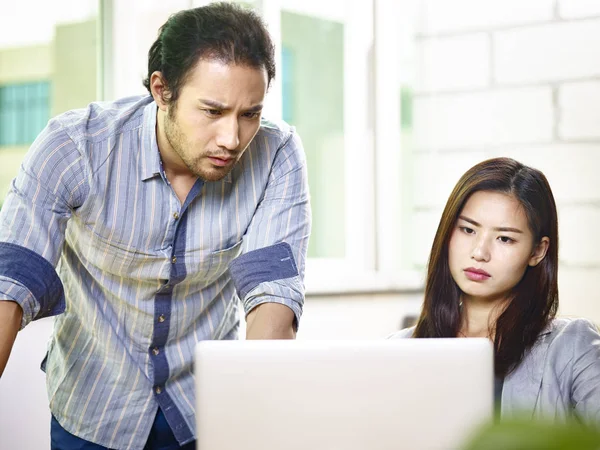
491,246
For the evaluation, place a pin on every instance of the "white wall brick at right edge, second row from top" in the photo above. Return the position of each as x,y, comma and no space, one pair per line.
552,52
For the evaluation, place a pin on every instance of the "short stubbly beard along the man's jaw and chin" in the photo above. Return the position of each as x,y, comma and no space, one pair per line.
179,144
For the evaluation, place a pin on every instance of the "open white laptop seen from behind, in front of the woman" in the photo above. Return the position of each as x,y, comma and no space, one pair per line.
342,395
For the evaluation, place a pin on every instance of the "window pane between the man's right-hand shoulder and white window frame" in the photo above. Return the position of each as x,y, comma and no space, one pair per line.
313,101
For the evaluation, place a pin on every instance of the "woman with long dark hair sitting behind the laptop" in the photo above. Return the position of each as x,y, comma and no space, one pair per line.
492,273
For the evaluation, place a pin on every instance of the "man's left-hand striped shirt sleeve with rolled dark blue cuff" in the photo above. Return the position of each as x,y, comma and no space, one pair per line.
50,184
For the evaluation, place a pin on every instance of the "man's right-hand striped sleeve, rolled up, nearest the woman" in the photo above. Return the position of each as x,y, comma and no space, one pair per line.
271,268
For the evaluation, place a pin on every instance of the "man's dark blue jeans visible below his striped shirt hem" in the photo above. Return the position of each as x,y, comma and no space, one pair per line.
161,438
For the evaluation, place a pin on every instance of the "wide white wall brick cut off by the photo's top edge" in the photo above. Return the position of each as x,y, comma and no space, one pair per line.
440,16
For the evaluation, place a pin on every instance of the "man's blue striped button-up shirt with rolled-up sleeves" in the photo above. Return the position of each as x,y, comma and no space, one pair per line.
92,231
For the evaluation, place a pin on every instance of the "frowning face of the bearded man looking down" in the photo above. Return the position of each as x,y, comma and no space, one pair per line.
216,116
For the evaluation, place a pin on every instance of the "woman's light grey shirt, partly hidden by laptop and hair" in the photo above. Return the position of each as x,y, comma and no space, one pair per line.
559,376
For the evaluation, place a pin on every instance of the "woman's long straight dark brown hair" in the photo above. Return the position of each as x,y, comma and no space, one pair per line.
534,299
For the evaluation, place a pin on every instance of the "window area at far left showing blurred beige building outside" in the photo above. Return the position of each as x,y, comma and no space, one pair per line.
47,66
